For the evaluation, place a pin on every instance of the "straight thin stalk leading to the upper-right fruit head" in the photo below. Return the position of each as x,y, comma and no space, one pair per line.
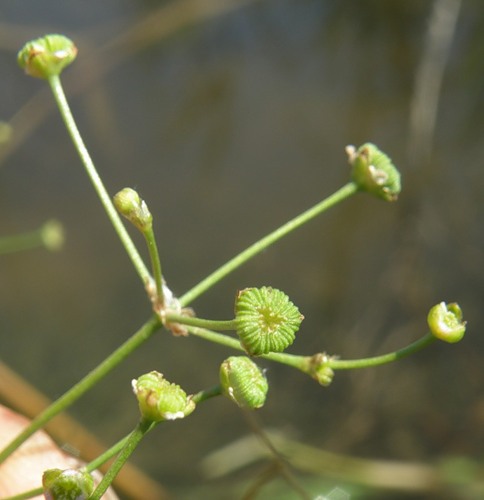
340,195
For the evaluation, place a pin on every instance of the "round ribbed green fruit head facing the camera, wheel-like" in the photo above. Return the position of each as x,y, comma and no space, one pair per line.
267,321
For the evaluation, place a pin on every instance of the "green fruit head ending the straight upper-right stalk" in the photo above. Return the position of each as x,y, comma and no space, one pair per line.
374,172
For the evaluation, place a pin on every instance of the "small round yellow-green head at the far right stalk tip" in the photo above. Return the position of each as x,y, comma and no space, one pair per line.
445,322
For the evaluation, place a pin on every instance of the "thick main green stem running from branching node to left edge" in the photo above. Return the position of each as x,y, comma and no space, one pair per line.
85,384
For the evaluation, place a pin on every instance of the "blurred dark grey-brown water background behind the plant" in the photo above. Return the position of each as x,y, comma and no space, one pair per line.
230,117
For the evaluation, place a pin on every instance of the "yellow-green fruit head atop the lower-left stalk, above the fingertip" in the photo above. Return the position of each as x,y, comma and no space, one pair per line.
159,399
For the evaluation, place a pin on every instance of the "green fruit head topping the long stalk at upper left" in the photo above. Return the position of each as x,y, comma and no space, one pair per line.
46,56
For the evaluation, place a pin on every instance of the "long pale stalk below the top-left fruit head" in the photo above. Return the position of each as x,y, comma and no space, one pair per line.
57,90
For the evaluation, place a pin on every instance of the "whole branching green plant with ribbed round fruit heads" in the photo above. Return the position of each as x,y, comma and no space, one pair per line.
265,322
